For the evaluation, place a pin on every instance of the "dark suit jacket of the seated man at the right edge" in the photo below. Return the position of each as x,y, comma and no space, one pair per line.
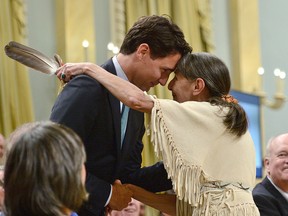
269,200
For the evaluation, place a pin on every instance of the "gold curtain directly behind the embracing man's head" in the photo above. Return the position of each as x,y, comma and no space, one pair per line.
192,16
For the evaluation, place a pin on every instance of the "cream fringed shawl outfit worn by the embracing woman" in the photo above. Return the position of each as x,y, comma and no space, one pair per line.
197,151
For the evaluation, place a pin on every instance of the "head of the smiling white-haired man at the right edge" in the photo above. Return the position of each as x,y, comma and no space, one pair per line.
277,163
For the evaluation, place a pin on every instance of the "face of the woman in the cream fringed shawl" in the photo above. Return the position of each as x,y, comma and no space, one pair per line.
181,88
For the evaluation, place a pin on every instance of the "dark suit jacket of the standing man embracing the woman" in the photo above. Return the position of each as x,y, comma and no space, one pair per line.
94,113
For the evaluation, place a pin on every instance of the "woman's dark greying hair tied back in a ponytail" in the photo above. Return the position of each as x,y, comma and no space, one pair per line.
217,80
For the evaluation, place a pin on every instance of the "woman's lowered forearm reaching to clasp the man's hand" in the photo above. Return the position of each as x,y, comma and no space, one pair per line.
163,202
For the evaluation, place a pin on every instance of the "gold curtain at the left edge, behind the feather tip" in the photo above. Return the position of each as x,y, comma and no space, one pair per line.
15,95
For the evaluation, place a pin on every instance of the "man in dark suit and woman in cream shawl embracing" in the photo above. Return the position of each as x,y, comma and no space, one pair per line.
202,136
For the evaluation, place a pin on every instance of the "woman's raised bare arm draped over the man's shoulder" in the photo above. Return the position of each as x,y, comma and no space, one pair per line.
125,91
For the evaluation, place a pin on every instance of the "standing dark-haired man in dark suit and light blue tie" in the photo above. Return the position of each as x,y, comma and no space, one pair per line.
149,53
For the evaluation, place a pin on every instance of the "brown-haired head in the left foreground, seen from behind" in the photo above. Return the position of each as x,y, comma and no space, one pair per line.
44,171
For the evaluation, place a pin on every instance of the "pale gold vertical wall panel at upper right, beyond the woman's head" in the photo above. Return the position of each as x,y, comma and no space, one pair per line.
245,36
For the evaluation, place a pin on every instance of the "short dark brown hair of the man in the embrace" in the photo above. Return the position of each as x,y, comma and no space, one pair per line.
160,33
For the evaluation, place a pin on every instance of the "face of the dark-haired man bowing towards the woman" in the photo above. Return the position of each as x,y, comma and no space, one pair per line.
151,72
